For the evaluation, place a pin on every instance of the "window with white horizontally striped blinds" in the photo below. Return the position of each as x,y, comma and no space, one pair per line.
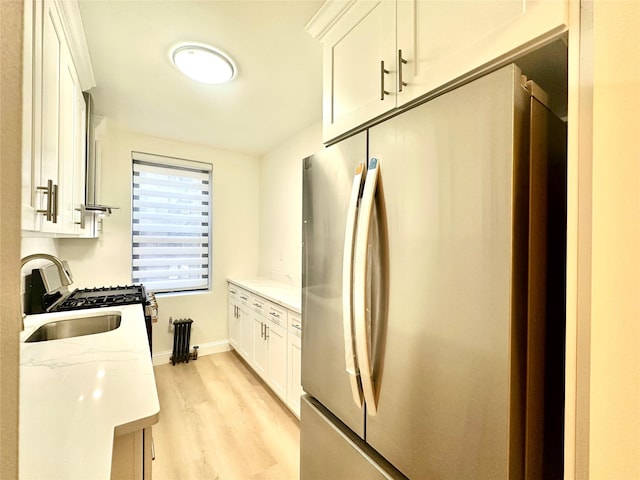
171,223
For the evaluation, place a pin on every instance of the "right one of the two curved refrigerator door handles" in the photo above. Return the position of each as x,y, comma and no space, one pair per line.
360,285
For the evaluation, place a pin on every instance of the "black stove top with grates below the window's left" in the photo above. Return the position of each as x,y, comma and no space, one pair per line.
103,297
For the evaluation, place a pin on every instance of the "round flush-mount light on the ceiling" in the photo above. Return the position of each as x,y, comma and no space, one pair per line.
203,63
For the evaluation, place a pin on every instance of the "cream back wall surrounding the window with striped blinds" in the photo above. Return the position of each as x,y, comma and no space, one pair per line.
107,260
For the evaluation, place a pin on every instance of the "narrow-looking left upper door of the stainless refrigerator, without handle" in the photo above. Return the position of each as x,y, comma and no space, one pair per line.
327,180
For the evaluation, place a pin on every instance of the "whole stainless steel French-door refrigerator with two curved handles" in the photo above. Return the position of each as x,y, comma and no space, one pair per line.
432,292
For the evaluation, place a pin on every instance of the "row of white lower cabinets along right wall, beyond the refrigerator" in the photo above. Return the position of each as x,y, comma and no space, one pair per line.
260,331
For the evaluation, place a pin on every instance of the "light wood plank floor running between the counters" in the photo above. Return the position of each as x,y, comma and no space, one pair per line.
219,421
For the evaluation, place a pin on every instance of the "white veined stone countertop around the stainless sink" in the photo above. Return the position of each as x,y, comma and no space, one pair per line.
76,393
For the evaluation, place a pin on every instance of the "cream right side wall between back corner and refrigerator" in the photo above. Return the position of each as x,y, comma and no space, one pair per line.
281,206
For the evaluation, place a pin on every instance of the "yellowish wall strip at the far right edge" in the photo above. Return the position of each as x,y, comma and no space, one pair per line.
614,410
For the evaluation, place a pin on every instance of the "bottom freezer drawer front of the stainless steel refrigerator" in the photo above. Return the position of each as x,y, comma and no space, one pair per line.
344,456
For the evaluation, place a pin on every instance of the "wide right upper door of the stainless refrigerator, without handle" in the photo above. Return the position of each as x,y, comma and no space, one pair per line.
450,402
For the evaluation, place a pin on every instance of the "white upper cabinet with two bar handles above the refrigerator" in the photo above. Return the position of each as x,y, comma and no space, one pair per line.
381,55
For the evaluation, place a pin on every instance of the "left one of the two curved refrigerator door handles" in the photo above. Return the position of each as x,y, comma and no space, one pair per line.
347,286
